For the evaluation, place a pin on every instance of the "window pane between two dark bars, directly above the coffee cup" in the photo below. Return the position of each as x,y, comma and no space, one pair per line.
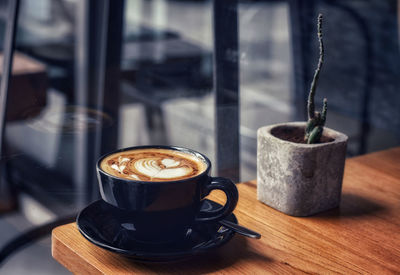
167,83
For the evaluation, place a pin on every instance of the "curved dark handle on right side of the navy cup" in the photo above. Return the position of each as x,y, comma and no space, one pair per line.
232,196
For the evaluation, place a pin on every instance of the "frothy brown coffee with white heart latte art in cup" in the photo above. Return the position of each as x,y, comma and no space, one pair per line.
153,164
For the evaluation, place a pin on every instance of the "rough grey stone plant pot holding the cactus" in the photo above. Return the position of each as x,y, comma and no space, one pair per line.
299,179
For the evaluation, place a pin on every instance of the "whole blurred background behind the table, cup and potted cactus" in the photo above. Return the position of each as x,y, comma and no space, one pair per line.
92,76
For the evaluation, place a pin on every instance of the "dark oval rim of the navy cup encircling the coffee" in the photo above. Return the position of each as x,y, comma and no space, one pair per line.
176,148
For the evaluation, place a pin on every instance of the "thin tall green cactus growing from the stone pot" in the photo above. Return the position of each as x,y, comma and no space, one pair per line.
316,120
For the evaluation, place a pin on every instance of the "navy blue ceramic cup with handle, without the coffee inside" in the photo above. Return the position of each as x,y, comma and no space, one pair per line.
164,211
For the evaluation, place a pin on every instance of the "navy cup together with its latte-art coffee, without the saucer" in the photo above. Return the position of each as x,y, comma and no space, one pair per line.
160,190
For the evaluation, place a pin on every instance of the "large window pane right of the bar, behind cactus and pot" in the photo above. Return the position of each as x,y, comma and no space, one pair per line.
359,77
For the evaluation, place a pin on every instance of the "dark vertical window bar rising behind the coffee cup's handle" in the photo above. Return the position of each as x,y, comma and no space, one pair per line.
226,79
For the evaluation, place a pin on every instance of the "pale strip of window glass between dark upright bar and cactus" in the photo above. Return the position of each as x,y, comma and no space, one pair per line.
265,67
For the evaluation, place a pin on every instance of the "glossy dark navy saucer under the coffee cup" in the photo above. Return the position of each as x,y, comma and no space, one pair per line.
99,223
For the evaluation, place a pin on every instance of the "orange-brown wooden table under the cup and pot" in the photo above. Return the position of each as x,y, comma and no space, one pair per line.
362,236
